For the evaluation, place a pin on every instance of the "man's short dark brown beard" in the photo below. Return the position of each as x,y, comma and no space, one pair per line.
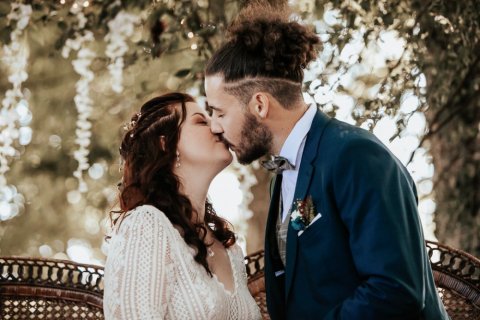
256,140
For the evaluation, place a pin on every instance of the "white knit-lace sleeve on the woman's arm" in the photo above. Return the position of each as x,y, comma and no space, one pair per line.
145,254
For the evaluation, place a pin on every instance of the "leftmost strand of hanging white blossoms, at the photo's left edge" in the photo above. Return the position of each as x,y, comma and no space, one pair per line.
15,115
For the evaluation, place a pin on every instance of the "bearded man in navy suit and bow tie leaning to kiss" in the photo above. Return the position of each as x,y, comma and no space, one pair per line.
343,238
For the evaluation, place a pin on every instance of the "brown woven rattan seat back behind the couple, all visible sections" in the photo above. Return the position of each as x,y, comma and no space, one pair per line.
53,289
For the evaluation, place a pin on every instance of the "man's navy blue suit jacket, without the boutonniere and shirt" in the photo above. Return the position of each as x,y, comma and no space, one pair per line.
365,258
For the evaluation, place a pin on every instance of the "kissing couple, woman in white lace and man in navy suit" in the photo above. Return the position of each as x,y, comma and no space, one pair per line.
343,237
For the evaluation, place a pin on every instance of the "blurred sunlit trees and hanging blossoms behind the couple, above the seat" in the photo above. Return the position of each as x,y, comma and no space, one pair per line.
73,72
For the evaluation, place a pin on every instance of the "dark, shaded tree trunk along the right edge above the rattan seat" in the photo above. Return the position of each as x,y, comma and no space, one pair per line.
452,69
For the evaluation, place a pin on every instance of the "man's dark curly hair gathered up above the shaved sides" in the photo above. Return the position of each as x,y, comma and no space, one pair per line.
263,42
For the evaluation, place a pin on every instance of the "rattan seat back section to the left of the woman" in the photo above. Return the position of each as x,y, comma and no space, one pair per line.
49,289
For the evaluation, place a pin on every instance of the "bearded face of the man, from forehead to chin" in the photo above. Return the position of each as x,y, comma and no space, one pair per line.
245,135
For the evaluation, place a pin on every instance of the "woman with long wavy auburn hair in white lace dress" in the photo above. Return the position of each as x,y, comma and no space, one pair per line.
170,255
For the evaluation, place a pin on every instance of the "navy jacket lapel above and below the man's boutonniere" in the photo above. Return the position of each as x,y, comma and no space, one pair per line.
305,175
